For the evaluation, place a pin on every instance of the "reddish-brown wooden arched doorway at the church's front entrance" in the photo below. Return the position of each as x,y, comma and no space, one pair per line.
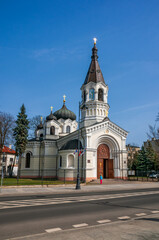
104,163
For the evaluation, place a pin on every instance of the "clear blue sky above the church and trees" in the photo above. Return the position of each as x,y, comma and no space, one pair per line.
45,50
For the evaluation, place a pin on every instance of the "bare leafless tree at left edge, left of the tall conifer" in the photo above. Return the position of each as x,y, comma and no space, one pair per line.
7,124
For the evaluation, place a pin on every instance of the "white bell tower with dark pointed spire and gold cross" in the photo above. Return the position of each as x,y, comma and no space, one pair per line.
94,107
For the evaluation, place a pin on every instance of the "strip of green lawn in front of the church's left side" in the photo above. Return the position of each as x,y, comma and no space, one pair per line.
14,182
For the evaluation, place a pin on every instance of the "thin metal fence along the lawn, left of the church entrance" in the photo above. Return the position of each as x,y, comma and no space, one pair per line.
43,177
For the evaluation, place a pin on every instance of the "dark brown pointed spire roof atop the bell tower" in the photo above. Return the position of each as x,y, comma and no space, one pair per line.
94,73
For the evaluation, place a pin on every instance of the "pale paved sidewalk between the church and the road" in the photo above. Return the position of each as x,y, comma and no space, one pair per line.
108,185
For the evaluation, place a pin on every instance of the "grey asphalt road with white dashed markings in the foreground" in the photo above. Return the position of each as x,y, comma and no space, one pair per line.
38,214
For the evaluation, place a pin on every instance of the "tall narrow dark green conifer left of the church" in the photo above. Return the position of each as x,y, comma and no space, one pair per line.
21,134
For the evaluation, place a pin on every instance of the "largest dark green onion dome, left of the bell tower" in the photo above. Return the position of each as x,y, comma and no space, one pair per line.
64,113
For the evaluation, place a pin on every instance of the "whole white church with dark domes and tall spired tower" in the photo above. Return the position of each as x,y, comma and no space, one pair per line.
102,144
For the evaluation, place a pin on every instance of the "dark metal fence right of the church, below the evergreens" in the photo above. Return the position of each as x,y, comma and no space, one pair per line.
149,176
